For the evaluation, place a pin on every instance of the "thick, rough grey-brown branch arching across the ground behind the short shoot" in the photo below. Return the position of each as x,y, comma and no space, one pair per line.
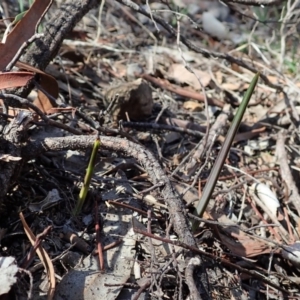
155,172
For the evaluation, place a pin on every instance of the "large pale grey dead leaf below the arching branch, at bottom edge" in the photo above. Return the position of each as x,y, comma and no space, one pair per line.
86,280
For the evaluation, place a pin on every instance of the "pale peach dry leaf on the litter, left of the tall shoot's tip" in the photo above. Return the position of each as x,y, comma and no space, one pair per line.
179,73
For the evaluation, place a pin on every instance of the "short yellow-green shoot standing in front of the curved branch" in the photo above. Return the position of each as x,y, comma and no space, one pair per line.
87,179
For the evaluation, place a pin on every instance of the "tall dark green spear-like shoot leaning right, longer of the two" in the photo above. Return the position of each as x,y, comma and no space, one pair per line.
215,172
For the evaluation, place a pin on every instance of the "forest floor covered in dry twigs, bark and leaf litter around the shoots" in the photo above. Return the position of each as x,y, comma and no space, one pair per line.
165,101
